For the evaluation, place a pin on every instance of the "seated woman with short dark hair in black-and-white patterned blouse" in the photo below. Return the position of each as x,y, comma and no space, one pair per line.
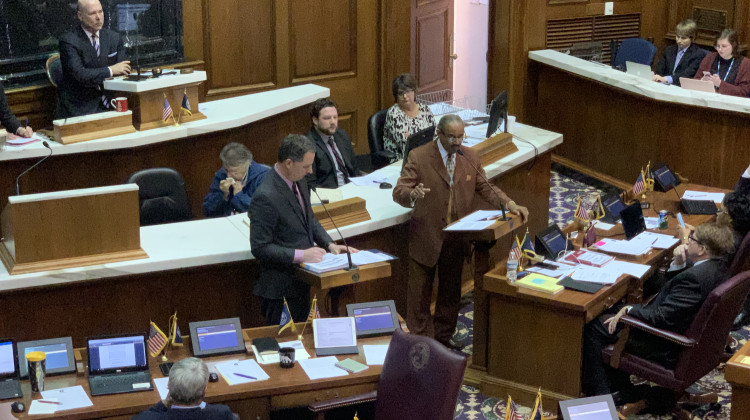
405,117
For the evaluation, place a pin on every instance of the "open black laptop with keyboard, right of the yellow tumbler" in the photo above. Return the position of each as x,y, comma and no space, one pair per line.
118,364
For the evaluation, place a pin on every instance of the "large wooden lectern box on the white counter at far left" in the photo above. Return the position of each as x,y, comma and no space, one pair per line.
65,229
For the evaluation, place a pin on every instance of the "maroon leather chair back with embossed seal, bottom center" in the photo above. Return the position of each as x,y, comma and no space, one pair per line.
420,379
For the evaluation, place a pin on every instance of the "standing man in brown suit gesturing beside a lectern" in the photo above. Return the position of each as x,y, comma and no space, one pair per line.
440,185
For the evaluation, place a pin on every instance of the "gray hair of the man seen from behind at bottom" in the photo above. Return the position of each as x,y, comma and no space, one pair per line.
187,381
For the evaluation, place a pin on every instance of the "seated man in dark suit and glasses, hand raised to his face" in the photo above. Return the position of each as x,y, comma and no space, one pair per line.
697,268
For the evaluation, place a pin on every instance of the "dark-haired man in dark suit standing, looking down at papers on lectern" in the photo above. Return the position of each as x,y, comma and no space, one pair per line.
285,232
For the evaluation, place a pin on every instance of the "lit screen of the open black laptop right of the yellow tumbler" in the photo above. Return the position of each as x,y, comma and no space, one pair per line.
117,354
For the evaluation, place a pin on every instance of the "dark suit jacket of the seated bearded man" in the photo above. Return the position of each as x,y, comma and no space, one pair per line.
324,169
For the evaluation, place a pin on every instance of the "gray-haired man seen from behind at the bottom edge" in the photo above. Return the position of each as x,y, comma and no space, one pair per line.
187,384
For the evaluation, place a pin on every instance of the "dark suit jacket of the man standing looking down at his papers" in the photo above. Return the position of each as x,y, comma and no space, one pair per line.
277,228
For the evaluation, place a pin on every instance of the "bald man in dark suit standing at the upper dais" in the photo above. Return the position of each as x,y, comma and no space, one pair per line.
85,54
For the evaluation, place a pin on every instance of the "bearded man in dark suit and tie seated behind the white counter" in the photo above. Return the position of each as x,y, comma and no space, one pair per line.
334,156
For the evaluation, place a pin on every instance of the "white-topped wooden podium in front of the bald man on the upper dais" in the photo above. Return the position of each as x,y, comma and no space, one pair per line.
146,97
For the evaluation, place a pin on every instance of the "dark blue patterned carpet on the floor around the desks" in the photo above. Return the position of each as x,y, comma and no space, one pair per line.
472,405
